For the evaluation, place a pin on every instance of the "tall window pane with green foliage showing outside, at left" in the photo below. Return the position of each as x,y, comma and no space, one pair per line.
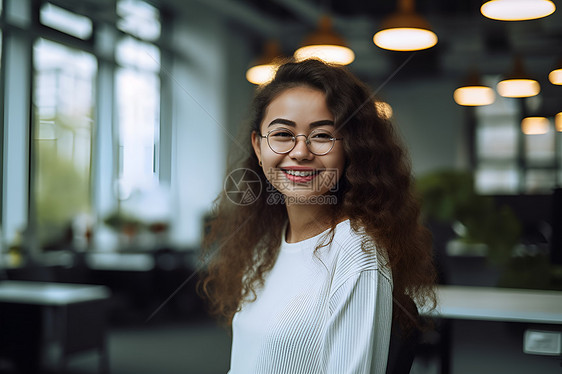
63,105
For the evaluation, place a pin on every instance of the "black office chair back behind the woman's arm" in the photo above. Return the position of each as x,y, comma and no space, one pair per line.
403,344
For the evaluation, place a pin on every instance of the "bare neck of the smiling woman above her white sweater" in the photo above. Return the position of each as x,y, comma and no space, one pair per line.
306,221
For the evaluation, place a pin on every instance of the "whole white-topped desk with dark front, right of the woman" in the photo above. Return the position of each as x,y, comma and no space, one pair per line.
482,328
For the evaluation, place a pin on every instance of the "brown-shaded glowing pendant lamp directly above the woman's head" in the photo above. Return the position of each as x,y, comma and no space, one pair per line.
325,45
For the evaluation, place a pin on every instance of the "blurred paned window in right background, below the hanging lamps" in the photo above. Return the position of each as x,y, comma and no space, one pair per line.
508,161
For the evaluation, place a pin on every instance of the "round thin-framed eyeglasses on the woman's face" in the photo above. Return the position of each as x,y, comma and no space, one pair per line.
318,142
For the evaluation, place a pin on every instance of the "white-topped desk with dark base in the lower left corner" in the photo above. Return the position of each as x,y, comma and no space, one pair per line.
35,316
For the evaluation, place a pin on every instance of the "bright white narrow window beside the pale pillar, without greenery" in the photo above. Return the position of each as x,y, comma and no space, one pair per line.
138,97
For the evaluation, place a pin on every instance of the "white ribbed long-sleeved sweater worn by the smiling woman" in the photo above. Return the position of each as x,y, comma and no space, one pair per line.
328,312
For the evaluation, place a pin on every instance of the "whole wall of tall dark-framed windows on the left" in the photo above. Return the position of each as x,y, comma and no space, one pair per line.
83,84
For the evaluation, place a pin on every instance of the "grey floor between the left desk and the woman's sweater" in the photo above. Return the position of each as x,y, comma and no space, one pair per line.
198,347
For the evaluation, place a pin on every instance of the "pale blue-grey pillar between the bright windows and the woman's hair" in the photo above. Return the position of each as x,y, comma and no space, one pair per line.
198,91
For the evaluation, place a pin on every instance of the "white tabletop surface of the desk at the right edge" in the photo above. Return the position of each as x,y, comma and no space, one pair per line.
499,304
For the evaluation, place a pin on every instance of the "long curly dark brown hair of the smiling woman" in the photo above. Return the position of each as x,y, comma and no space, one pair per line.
375,192
